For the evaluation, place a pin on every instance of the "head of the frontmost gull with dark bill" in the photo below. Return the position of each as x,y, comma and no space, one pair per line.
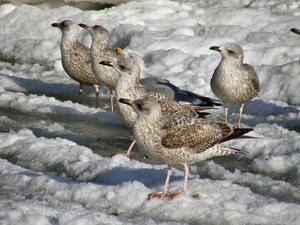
143,106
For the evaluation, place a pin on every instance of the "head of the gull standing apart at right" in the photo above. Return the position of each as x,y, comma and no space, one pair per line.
230,51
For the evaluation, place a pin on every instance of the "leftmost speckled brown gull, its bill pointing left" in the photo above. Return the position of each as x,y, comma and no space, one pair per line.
76,58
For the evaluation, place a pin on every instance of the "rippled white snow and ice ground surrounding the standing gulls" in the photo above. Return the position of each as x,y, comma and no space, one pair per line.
54,145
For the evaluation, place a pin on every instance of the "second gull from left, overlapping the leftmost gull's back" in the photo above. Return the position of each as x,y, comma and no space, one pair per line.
101,51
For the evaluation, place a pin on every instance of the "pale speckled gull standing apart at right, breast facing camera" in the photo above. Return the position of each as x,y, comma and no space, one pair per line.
233,81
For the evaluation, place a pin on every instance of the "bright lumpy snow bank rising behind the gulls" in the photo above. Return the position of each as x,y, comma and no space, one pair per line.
179,52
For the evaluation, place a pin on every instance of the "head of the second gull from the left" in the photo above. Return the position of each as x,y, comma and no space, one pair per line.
99,33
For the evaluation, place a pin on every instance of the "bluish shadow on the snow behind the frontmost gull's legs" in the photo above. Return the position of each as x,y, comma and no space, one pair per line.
149,177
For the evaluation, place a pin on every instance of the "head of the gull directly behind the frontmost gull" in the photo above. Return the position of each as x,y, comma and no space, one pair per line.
127,65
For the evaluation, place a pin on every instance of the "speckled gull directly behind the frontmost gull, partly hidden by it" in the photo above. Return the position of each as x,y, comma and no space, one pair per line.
128,86
